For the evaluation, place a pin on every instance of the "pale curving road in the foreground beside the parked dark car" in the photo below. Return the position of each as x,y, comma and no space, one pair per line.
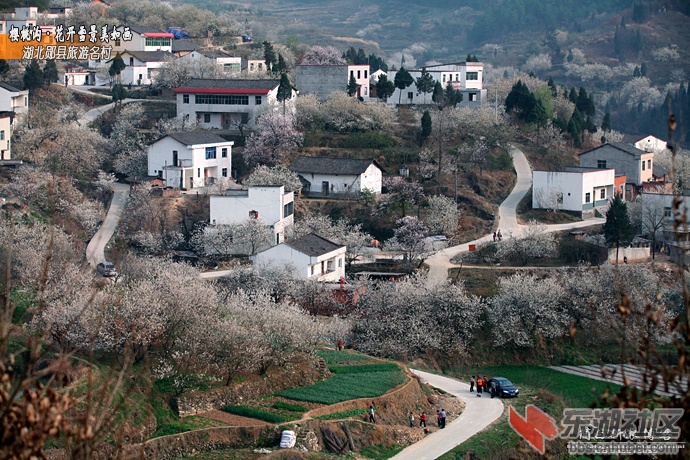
478,414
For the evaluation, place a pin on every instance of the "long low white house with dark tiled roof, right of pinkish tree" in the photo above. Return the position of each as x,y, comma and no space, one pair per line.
337,176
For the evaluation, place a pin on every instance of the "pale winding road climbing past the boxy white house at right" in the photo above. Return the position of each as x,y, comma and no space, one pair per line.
440,262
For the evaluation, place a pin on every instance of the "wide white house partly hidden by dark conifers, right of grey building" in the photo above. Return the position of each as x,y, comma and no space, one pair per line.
466,77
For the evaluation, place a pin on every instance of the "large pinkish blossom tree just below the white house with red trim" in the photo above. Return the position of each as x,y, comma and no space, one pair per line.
274,140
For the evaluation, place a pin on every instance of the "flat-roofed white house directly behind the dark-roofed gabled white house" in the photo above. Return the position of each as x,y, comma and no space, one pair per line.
272,204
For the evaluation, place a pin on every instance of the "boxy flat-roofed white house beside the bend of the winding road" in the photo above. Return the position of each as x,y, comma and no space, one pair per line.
574,189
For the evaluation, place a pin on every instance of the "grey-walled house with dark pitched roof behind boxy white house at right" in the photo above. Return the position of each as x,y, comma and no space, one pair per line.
636,164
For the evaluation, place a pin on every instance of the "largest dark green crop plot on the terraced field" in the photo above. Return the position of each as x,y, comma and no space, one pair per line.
344,387
